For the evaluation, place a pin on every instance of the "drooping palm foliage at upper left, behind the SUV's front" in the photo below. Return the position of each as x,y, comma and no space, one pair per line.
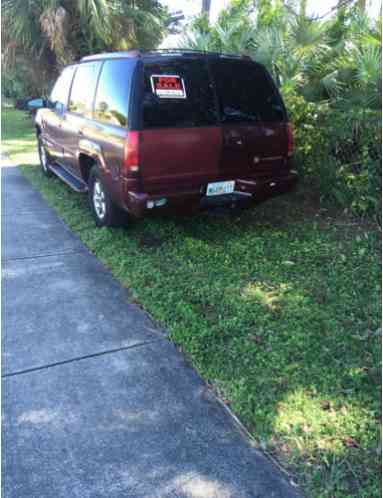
44,35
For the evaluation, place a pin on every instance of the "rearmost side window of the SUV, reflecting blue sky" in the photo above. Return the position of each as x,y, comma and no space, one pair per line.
112,98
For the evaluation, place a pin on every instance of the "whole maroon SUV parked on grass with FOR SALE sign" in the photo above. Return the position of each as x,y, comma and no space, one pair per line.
143,131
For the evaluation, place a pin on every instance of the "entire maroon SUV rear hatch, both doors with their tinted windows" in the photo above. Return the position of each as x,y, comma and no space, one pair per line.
209,118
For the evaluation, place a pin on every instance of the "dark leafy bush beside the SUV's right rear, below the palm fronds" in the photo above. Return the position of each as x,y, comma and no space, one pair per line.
339,153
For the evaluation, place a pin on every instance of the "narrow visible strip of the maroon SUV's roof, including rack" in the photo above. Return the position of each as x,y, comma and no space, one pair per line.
163,52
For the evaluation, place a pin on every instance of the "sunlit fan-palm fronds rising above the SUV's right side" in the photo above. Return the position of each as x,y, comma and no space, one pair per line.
319,59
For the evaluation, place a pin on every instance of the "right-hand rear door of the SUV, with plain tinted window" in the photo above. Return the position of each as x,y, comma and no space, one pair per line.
253,119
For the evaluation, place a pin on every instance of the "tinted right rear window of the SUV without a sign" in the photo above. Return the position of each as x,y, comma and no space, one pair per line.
246,93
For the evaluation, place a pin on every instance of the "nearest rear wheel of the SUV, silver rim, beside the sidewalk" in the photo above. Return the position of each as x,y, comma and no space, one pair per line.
105,212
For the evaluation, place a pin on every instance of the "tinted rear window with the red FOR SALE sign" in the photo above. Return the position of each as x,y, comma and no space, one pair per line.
185,98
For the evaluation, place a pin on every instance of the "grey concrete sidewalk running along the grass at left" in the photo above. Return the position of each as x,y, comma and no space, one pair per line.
97,402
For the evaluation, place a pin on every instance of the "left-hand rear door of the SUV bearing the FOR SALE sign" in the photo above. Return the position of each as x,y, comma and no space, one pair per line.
181,139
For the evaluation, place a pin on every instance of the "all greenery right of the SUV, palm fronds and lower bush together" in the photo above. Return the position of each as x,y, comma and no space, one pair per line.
329,73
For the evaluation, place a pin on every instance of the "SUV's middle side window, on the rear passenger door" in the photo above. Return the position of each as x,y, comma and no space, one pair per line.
83,88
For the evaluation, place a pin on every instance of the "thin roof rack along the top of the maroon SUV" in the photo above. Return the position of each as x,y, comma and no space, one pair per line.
161,51
